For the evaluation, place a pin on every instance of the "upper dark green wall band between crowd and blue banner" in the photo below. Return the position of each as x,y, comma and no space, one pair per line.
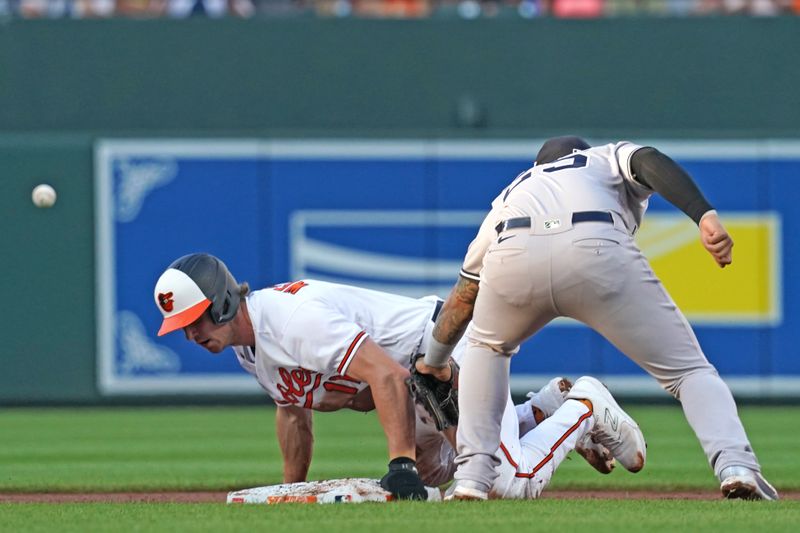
698,76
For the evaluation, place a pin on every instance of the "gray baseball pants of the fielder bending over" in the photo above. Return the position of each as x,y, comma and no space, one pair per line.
592,272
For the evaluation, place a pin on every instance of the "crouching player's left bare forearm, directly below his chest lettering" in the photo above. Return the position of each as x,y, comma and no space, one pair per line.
296,438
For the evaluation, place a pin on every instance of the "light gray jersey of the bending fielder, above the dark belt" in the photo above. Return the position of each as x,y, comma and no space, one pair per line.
596,179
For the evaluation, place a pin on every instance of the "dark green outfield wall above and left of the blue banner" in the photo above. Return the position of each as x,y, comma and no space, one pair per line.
64,84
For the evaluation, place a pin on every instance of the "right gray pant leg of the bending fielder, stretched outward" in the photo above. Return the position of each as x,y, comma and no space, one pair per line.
621,298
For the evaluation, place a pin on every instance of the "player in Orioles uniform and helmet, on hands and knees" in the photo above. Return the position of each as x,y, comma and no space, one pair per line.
320,346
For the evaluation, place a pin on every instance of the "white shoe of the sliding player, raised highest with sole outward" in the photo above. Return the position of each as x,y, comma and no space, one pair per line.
613,427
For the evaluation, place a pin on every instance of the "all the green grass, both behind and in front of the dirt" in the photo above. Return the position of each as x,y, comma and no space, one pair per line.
124,449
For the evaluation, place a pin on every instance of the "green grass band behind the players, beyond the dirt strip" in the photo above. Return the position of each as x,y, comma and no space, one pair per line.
224,448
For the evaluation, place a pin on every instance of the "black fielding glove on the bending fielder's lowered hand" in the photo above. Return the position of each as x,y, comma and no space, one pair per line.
438,398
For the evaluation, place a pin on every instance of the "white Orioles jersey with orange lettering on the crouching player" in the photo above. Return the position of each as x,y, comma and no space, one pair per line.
308,332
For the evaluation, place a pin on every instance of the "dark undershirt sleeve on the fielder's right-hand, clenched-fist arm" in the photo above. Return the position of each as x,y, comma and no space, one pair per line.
657,171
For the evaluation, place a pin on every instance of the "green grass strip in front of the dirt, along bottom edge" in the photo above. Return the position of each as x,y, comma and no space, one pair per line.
595,516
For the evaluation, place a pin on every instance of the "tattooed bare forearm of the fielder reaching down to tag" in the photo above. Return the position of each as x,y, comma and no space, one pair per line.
450,326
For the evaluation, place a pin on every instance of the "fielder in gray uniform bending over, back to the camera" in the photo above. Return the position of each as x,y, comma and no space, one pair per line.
558,241
